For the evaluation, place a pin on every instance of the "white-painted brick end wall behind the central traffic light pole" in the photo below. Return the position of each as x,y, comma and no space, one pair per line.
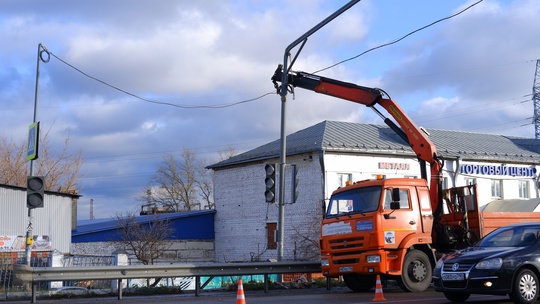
242,212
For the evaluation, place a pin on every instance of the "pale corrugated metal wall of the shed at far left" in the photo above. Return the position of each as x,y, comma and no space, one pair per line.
54,219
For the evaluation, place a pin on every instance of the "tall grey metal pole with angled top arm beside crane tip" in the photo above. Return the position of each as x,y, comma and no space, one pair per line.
283,92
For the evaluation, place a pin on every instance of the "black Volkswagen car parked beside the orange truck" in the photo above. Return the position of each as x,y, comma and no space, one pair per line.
505,262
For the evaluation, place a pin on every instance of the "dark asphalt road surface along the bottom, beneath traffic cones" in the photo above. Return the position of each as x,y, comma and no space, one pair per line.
297,296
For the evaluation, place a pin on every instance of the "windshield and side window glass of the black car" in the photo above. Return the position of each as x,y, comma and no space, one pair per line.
515,236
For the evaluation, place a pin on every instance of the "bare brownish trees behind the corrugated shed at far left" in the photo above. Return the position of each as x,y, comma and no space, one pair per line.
61,169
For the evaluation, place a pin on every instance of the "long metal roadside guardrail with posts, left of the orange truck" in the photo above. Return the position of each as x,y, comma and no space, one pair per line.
25,274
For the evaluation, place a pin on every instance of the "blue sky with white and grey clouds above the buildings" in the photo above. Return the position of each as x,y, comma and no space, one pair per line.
111,61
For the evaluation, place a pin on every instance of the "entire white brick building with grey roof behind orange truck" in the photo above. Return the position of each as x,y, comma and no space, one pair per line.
329,153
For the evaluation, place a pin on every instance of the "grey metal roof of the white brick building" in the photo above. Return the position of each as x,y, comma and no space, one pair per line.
348,137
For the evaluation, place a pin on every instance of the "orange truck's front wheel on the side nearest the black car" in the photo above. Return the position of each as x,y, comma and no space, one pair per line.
417,272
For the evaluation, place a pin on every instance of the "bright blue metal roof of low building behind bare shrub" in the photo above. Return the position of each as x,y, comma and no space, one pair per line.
191,225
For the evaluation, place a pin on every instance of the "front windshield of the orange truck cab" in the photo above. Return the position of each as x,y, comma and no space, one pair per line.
357,200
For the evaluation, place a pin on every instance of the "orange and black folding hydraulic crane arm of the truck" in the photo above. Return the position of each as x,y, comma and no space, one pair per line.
413,135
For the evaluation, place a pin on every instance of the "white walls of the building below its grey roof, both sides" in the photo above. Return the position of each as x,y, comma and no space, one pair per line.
242,213
